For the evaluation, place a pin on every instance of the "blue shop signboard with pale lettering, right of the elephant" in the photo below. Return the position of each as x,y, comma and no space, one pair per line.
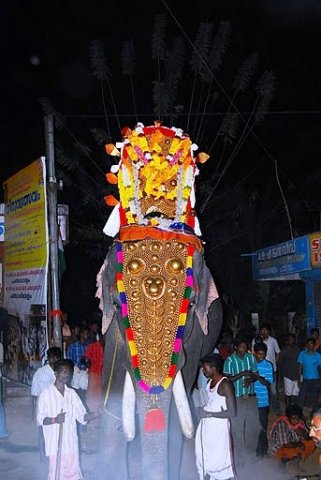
282,261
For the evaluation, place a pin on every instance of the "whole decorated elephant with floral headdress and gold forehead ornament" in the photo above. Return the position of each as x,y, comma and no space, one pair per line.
161,311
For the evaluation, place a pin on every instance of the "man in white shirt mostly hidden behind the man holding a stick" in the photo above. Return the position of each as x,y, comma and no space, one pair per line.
42,379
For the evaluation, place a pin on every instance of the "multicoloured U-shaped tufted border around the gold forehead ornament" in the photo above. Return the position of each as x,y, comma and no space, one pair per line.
177,344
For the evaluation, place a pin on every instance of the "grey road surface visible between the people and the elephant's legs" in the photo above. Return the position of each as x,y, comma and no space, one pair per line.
19,458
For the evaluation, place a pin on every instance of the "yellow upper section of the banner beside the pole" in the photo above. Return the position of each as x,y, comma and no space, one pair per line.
25,219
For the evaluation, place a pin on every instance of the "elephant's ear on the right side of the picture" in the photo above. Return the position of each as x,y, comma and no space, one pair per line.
206,291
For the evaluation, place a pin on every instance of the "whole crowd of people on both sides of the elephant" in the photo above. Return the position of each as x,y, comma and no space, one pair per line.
238,386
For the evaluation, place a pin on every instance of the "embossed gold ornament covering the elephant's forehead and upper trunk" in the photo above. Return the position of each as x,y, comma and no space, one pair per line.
154,279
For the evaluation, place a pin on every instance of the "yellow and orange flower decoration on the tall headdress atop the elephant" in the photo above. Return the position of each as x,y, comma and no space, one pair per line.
143,157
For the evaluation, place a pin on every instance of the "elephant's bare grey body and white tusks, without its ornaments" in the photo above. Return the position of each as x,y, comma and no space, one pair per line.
156,453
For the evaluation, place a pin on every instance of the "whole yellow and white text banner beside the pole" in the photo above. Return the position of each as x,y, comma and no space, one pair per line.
26,242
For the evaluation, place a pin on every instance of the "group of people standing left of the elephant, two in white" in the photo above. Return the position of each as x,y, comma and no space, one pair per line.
67,392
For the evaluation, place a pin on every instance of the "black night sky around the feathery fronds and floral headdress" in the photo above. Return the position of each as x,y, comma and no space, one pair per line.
45,53
